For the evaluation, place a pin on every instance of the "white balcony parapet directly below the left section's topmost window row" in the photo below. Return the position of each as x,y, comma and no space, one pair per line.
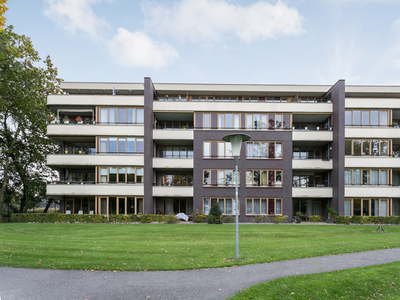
95,130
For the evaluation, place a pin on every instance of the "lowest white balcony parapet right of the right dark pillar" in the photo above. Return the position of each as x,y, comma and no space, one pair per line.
374,191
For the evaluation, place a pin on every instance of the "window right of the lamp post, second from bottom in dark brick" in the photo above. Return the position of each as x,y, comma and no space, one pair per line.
264,178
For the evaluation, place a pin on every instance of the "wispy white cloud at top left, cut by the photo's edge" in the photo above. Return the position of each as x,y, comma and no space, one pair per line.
76,15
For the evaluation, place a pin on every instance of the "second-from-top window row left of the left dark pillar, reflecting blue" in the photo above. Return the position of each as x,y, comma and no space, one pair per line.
115,145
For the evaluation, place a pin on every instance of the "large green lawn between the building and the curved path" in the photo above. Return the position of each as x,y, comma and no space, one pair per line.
134,247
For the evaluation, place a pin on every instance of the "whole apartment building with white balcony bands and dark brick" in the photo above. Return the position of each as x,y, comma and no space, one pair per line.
132,148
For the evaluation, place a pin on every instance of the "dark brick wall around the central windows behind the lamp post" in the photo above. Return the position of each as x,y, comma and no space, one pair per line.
284,164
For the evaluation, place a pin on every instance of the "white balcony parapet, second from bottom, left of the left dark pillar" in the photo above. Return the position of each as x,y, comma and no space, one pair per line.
96,160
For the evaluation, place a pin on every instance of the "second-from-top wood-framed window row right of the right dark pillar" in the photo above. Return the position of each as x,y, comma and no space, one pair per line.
368,147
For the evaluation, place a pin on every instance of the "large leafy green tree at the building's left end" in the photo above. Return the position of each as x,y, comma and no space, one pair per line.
23,90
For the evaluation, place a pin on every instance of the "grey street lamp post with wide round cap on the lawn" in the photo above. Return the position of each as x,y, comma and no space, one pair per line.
236,143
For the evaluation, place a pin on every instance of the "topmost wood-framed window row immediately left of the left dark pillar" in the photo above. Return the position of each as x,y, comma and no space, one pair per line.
121,115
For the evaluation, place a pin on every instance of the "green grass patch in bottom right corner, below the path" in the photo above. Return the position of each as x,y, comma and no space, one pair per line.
382,281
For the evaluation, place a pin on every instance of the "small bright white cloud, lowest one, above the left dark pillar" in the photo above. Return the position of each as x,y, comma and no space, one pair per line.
139,50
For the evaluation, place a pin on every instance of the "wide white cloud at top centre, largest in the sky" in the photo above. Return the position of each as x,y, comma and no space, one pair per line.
197,20
